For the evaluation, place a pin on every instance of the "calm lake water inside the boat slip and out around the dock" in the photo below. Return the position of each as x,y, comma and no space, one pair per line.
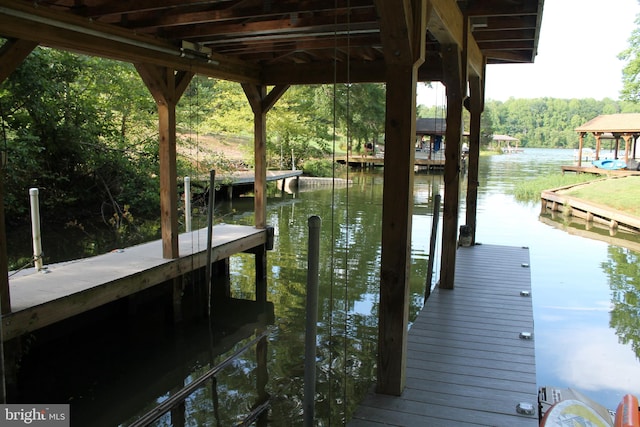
585,296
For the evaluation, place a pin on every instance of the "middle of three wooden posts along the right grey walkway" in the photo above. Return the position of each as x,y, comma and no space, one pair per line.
454,84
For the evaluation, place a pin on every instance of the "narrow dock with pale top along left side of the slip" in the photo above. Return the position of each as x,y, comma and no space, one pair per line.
71,288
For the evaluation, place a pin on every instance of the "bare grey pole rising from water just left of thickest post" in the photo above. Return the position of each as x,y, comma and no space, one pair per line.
313,260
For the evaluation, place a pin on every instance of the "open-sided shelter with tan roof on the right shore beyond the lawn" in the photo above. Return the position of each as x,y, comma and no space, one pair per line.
612,126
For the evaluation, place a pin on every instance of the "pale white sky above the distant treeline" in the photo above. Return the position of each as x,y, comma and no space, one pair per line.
577,55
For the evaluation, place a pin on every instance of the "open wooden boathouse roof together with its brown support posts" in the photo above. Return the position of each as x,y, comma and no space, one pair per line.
269,46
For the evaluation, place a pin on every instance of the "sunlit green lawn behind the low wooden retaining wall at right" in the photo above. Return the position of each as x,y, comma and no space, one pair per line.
622,194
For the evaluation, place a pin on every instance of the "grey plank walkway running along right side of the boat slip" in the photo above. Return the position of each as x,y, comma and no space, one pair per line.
466,364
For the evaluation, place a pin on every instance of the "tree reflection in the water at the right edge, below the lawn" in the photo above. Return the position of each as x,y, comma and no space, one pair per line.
623,270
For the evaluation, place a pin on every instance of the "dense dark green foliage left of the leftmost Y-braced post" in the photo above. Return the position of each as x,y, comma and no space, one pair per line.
68,133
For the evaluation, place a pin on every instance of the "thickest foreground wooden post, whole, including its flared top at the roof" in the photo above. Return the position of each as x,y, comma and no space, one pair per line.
404,48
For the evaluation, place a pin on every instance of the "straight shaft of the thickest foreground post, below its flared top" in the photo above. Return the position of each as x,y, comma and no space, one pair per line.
397,205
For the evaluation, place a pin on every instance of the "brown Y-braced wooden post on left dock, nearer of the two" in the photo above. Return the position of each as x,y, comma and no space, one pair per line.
166,87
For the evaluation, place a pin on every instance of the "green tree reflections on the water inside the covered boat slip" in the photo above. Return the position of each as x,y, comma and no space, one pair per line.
348,297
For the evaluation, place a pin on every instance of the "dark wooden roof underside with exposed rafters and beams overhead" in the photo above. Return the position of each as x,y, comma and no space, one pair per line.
273,42
